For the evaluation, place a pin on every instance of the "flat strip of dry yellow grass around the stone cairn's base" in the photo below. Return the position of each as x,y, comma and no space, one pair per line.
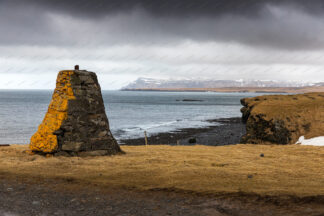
285,170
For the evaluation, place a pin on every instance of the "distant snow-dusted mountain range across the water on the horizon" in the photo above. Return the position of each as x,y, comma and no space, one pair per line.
148,83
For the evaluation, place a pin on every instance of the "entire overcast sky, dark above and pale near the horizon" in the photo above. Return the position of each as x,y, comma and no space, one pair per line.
122,40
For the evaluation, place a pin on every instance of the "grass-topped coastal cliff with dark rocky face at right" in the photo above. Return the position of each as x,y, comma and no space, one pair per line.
282,119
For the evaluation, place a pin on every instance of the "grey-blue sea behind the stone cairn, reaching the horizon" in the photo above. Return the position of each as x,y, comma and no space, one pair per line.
130,113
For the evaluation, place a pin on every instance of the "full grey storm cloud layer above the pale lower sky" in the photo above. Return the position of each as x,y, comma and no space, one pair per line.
280,24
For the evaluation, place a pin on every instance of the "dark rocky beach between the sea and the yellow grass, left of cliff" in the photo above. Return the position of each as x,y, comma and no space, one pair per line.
228,132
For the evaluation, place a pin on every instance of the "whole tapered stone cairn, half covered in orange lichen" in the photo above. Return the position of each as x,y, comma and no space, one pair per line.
75,123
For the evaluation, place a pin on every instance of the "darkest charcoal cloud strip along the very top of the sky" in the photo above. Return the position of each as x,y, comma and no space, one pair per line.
179,8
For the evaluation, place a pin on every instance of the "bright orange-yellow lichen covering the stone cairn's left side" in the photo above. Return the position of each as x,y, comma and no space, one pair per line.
44,140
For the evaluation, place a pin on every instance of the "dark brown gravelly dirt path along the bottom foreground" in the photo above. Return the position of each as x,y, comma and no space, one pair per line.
54,198
